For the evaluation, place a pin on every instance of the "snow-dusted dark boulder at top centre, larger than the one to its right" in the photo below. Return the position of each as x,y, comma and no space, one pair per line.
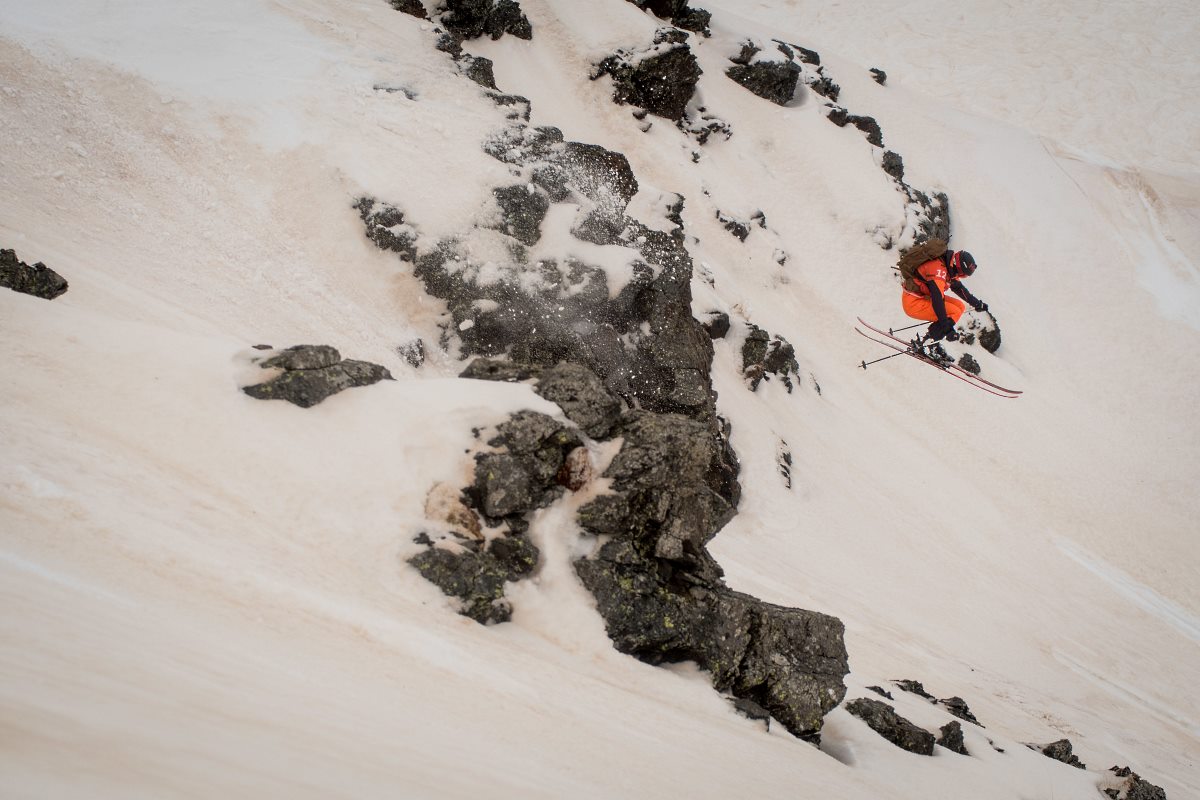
663,83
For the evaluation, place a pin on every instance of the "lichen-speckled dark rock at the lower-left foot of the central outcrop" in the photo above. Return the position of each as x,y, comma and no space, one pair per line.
478,578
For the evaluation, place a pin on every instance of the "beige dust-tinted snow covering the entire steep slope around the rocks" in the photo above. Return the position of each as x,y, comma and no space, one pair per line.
207,596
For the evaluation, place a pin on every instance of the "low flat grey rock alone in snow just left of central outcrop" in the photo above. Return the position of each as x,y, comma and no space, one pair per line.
314,372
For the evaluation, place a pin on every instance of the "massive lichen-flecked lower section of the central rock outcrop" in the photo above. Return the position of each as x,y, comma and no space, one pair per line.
662,593
